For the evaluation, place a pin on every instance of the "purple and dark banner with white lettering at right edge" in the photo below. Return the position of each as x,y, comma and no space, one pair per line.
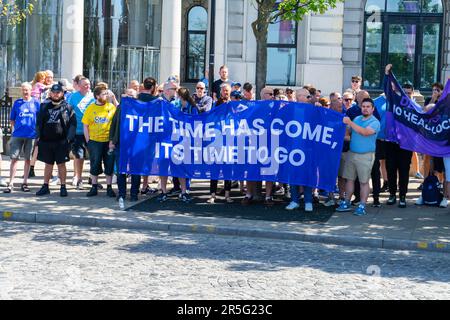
413,129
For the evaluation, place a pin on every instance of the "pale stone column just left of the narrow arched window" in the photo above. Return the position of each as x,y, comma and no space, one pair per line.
170,57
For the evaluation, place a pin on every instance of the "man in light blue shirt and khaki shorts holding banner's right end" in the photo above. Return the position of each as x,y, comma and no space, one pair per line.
363,130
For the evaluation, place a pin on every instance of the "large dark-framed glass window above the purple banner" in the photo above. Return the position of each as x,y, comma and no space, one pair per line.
406,33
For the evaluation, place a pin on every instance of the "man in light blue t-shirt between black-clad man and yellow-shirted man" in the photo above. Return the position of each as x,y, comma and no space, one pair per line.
79,101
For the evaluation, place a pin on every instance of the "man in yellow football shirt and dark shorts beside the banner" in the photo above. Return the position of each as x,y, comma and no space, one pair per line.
97,124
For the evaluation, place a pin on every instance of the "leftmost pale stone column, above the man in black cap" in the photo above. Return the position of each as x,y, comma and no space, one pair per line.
72,39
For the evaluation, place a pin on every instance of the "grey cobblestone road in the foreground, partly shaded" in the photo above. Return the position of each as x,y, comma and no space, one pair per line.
49,262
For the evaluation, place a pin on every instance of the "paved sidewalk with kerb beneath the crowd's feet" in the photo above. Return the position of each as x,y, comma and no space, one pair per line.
416,228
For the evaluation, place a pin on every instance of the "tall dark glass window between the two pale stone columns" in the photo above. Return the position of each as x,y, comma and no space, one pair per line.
116,32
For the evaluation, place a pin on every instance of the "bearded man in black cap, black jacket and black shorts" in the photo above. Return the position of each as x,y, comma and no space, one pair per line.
55,128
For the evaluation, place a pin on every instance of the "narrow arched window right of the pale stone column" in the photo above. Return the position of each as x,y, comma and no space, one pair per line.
196,43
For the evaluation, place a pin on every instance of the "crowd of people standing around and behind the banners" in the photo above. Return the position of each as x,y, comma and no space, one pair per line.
55,119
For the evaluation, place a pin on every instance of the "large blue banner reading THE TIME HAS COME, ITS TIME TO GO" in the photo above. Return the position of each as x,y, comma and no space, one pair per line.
254,141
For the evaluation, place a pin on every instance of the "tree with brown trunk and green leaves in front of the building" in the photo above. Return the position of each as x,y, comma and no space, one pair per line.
272,11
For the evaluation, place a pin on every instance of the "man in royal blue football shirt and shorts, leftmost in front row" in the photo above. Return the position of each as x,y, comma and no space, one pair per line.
23,121
